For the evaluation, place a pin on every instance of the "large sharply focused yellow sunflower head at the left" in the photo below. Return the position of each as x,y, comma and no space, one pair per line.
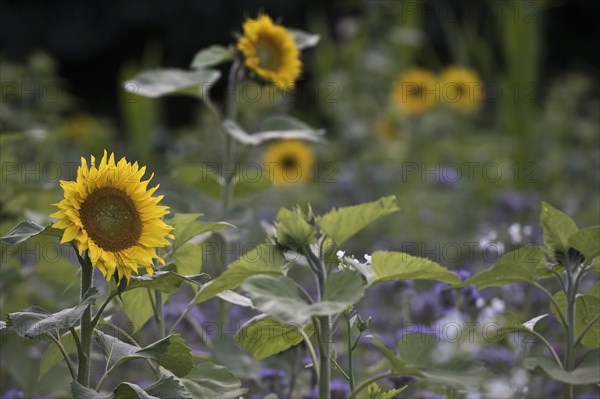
110,212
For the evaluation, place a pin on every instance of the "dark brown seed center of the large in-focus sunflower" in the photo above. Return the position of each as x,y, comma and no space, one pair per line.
111,219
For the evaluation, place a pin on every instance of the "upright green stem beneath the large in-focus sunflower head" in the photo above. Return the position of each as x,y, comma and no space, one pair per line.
83,372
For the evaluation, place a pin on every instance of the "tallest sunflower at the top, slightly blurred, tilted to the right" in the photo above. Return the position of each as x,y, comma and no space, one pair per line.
270,51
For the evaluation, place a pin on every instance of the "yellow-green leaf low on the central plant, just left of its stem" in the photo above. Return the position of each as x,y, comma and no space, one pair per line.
263,336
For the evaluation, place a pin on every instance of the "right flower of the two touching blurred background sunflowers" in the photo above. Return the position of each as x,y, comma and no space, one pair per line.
461,88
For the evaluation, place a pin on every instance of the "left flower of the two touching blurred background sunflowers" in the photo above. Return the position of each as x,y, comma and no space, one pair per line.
415,91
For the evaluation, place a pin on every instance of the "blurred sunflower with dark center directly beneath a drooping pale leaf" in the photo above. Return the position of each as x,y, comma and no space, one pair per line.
289,162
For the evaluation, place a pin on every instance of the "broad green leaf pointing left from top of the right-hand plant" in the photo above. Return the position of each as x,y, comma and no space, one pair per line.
521,265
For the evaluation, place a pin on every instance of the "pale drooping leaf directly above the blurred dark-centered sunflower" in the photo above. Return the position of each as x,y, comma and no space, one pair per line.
239,134
